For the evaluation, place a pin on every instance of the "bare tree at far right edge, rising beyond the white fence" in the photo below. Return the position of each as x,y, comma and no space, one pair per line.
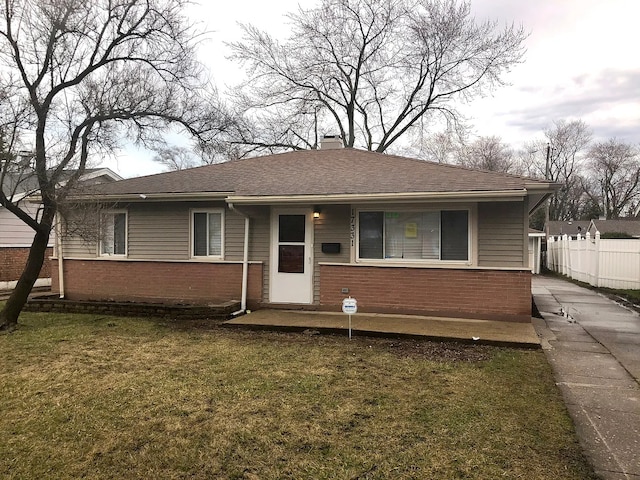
615,176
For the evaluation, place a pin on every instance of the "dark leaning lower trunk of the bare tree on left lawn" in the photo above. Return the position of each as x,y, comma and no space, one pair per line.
19,296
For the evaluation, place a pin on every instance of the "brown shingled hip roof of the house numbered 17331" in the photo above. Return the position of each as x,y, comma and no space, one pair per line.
322,172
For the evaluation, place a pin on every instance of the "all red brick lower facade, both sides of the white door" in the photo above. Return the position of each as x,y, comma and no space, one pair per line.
463,293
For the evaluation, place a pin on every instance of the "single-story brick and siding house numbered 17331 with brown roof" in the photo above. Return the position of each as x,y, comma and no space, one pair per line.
306,229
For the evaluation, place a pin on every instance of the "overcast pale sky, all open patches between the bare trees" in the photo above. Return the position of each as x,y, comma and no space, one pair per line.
582,62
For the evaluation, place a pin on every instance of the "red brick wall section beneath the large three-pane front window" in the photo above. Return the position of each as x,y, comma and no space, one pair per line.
484,294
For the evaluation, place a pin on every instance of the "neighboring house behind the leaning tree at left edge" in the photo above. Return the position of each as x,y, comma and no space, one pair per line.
16,236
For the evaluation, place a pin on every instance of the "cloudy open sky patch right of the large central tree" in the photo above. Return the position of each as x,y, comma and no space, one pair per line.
579,64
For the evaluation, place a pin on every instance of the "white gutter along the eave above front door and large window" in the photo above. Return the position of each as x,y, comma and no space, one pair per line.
494,195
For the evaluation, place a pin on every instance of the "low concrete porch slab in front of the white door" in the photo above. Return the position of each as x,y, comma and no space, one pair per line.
433,328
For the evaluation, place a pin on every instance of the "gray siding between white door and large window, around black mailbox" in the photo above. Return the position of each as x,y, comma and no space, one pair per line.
333,226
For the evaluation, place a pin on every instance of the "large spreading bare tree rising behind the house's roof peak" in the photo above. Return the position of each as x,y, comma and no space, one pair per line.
367,69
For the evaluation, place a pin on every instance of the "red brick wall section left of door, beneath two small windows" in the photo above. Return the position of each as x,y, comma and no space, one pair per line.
164,282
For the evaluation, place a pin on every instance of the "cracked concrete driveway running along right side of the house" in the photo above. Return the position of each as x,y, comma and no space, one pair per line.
595,353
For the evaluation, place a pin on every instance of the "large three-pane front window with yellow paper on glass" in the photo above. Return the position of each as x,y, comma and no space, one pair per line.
414,235
